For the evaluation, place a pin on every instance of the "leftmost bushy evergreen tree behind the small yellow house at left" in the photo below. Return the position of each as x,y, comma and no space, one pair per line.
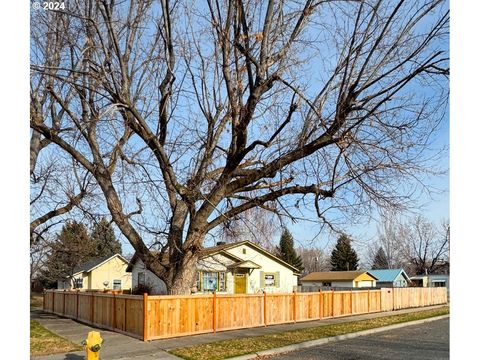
71,248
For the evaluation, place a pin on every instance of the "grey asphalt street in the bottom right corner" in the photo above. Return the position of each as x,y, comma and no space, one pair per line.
416,342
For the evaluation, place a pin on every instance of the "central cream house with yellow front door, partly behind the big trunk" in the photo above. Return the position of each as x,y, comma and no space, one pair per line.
236,268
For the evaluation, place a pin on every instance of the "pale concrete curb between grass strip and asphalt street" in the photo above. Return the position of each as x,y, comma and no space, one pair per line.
312,343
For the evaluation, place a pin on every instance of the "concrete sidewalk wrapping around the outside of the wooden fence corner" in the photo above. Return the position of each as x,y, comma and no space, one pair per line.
118,346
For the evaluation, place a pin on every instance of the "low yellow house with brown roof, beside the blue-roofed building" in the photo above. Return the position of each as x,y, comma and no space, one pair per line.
348,279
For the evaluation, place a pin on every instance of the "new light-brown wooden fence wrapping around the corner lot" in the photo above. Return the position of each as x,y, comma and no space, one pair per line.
158,317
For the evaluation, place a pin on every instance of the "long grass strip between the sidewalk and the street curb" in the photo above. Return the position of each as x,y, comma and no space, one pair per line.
249,345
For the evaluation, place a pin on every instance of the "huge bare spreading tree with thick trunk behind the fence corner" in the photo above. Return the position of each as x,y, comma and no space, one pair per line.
187,115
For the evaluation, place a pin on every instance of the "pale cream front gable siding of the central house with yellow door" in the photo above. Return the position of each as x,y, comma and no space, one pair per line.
287,279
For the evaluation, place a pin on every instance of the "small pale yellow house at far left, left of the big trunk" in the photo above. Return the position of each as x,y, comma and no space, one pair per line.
98,274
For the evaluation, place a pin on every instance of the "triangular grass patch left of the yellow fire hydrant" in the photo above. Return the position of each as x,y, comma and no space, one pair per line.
44,342
